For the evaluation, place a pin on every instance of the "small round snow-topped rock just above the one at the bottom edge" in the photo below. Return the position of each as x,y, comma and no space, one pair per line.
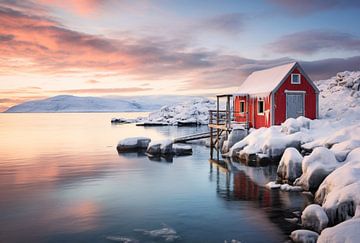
314,218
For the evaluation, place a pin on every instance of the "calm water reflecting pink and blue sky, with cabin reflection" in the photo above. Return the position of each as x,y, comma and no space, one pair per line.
62,180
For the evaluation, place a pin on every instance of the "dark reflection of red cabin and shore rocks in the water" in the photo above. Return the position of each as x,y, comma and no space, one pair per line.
237,182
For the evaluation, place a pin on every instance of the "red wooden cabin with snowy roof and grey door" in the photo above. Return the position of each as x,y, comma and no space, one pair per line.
270,96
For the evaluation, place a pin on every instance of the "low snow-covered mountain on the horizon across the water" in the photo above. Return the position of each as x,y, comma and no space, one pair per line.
69,103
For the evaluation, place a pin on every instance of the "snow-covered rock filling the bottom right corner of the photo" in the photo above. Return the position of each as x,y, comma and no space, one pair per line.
348,231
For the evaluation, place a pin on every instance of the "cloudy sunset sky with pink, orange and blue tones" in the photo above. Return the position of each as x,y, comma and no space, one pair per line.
165,47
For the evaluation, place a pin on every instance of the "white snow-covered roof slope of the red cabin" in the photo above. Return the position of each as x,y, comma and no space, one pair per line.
265,81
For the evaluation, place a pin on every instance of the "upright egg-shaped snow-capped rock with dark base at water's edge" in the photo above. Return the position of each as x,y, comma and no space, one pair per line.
290,165
